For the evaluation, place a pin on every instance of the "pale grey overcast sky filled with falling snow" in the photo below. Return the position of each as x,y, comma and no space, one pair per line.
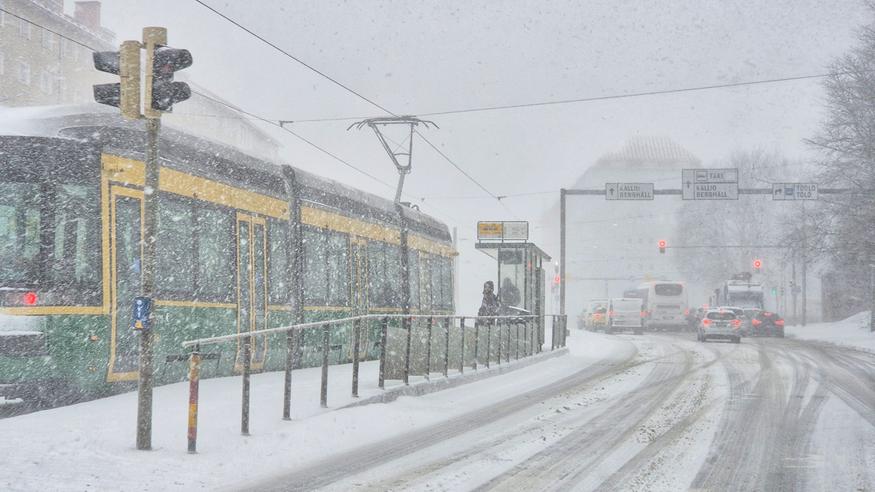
415,57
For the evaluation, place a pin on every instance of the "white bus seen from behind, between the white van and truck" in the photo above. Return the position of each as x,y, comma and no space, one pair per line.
665,304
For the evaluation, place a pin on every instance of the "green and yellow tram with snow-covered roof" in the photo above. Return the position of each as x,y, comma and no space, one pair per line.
242,244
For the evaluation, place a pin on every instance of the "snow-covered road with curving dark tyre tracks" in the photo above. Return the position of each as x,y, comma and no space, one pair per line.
767,414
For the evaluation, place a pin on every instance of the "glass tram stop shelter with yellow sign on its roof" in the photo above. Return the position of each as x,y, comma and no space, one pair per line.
520,287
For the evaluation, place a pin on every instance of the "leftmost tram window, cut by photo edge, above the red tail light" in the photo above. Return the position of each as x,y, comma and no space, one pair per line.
19,232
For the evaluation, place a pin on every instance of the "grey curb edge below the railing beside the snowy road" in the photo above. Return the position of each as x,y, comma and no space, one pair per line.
425,387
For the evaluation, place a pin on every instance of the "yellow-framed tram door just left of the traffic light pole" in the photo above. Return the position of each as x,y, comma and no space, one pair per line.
126,253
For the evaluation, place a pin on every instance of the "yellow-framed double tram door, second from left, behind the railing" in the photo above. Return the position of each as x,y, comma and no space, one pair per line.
251,287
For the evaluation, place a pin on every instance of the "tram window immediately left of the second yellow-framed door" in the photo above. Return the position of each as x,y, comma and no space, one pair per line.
215,278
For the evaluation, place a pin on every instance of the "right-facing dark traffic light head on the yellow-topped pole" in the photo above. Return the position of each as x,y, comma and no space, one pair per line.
163,92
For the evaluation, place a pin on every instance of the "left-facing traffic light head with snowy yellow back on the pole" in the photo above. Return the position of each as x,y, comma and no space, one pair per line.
125,63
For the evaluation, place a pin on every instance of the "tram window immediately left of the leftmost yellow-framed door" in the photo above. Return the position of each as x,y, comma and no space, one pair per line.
76,230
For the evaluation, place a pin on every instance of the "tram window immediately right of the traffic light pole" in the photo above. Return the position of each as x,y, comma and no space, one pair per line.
176,268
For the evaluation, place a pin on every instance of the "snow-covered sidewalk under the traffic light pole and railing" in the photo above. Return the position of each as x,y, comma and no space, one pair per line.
90,446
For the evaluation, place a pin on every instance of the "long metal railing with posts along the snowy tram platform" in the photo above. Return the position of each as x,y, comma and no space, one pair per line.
525,330
